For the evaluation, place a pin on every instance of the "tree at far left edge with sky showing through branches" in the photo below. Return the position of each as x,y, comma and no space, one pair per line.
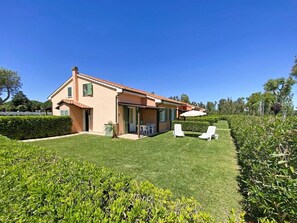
10,83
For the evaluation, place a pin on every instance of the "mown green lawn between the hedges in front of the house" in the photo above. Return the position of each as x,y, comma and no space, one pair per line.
187,166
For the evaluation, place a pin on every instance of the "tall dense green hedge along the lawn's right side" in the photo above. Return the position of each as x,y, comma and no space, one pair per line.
267,153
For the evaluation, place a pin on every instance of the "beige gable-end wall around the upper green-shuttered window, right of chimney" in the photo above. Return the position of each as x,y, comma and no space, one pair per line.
103,103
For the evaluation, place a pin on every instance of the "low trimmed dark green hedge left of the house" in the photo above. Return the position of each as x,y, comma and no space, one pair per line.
30,127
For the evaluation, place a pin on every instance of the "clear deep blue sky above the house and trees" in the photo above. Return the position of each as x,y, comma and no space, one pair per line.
208,49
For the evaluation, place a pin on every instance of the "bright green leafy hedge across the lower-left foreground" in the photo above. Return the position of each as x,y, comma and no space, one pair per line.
36,186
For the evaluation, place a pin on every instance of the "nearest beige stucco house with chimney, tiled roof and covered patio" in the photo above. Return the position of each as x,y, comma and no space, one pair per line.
92,103
